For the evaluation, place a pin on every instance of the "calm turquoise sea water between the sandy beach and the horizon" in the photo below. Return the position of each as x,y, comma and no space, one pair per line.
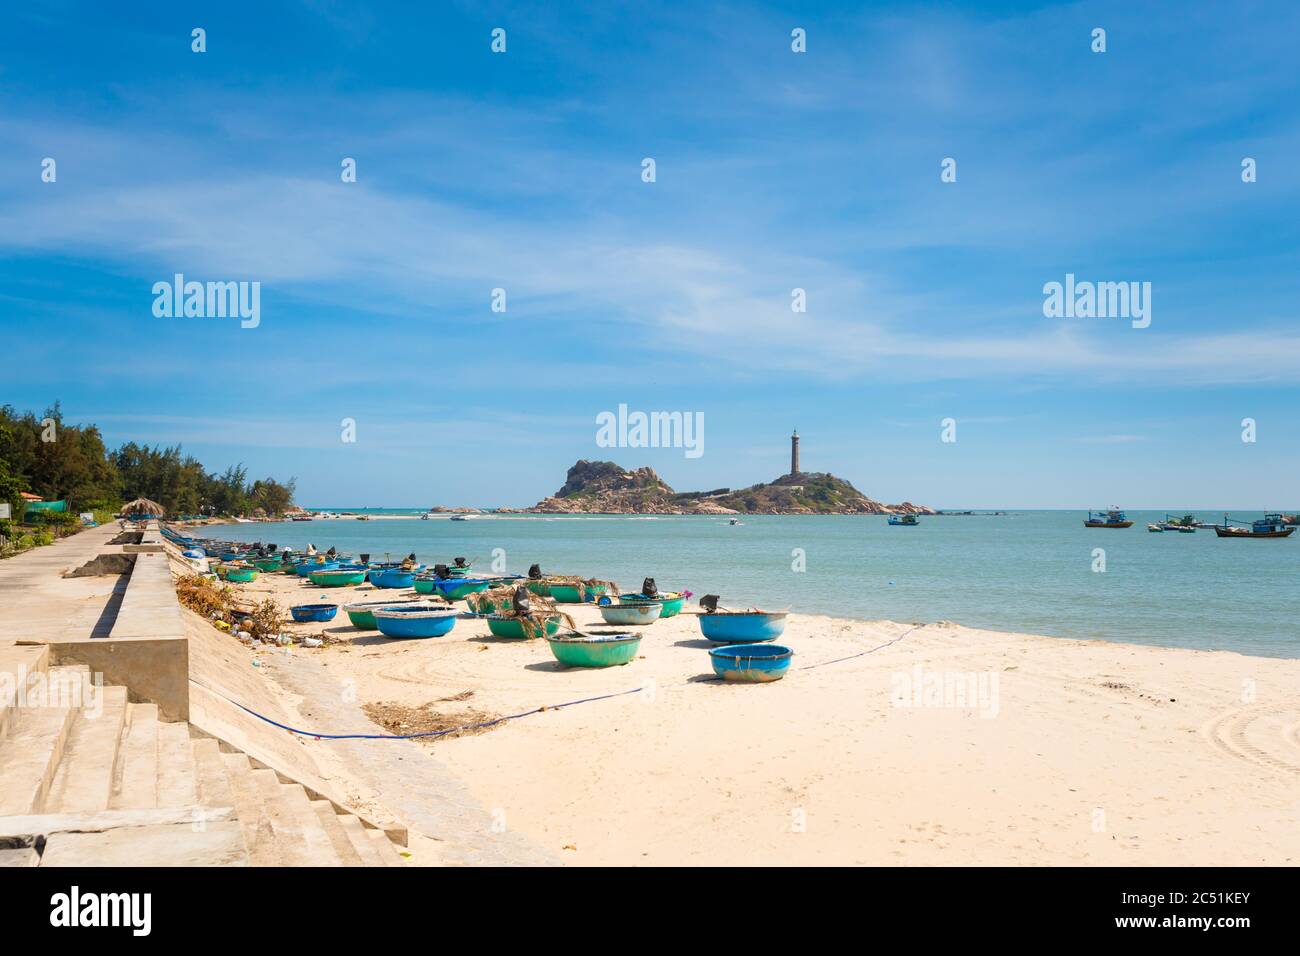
1028,572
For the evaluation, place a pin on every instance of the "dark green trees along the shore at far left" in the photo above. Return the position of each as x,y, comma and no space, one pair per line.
47,457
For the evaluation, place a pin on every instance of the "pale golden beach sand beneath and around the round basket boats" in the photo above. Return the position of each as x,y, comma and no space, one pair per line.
941,746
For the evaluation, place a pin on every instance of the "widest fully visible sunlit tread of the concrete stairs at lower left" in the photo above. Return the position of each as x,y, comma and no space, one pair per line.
84,782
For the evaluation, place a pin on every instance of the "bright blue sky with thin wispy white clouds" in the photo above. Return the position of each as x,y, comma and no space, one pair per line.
775,171
